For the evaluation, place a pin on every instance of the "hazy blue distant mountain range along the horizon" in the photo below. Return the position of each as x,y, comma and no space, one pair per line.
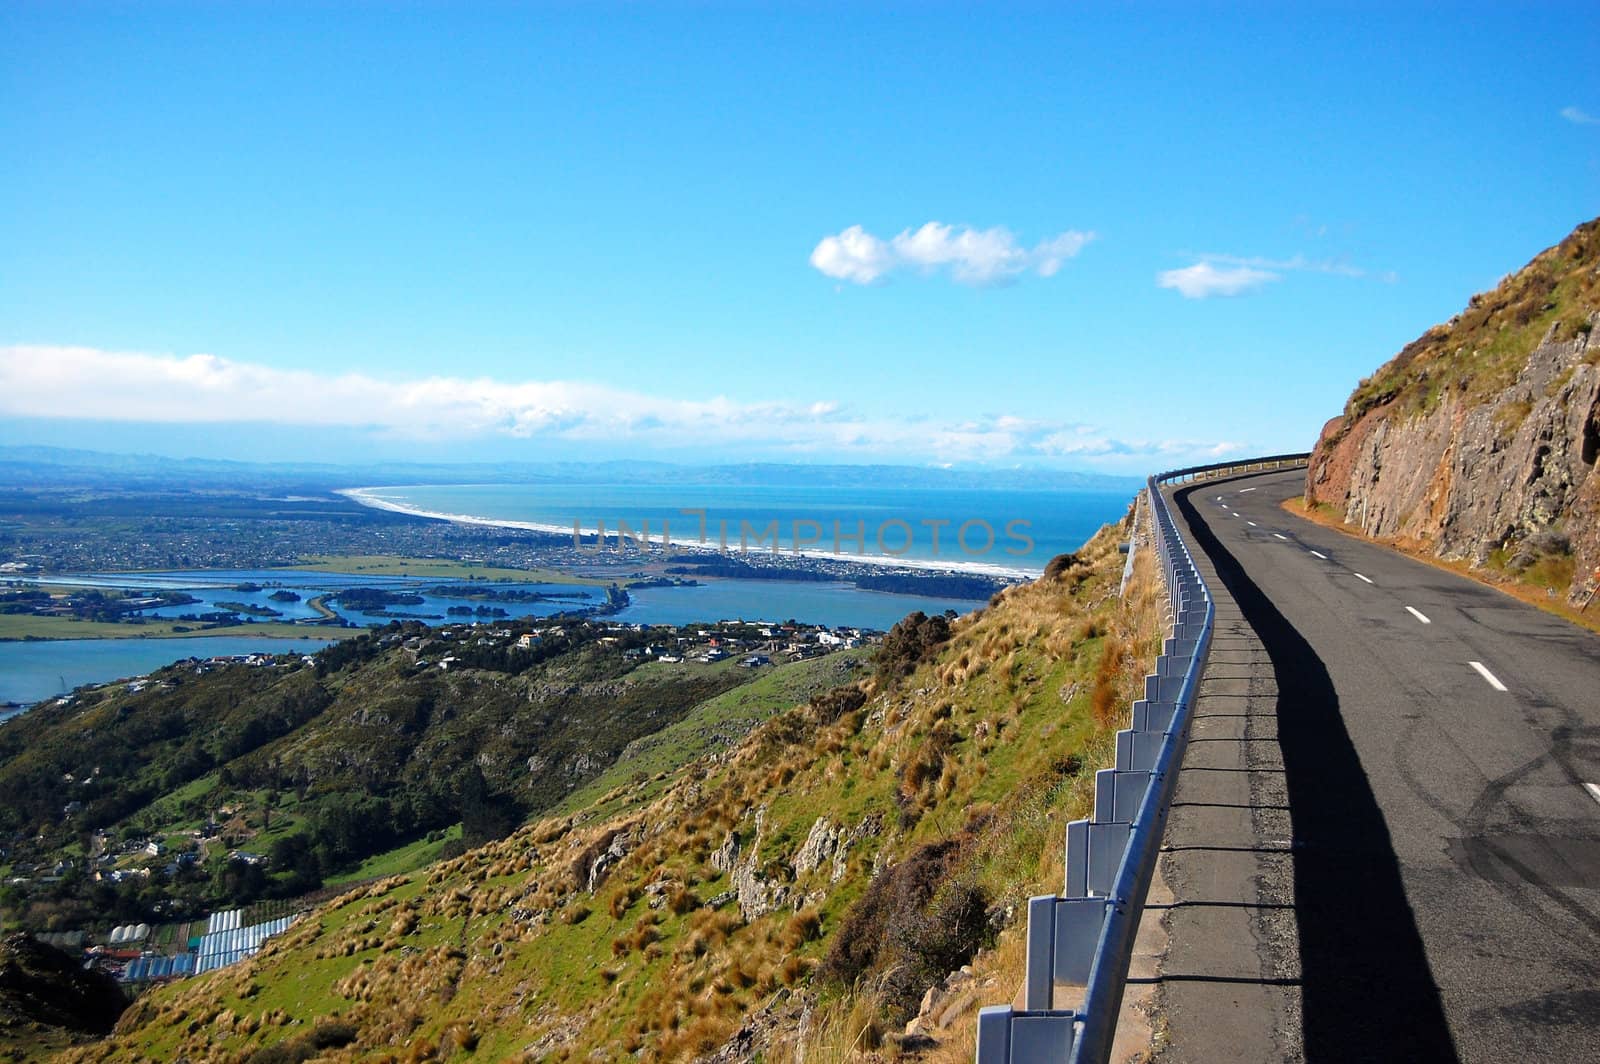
52,466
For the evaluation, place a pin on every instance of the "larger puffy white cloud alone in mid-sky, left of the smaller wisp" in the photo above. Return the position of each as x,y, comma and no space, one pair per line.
974,257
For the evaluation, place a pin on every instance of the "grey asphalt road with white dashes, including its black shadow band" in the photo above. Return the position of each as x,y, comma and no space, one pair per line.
1442,759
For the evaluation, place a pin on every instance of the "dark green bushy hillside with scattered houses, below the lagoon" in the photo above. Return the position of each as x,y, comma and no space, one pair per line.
154,801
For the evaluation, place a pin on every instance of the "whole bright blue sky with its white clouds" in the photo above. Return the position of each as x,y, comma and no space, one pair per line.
1074,236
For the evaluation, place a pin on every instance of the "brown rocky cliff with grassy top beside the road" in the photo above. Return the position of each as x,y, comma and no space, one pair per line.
1479,441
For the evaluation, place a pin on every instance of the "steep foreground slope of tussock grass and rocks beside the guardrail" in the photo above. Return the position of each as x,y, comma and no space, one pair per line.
855,863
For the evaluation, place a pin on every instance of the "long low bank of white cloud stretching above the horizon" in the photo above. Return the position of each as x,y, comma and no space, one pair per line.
41,382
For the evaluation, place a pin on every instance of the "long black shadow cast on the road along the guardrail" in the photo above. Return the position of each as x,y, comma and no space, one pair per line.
1369,993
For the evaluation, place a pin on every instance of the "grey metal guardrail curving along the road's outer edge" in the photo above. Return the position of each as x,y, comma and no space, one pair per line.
1086,935
